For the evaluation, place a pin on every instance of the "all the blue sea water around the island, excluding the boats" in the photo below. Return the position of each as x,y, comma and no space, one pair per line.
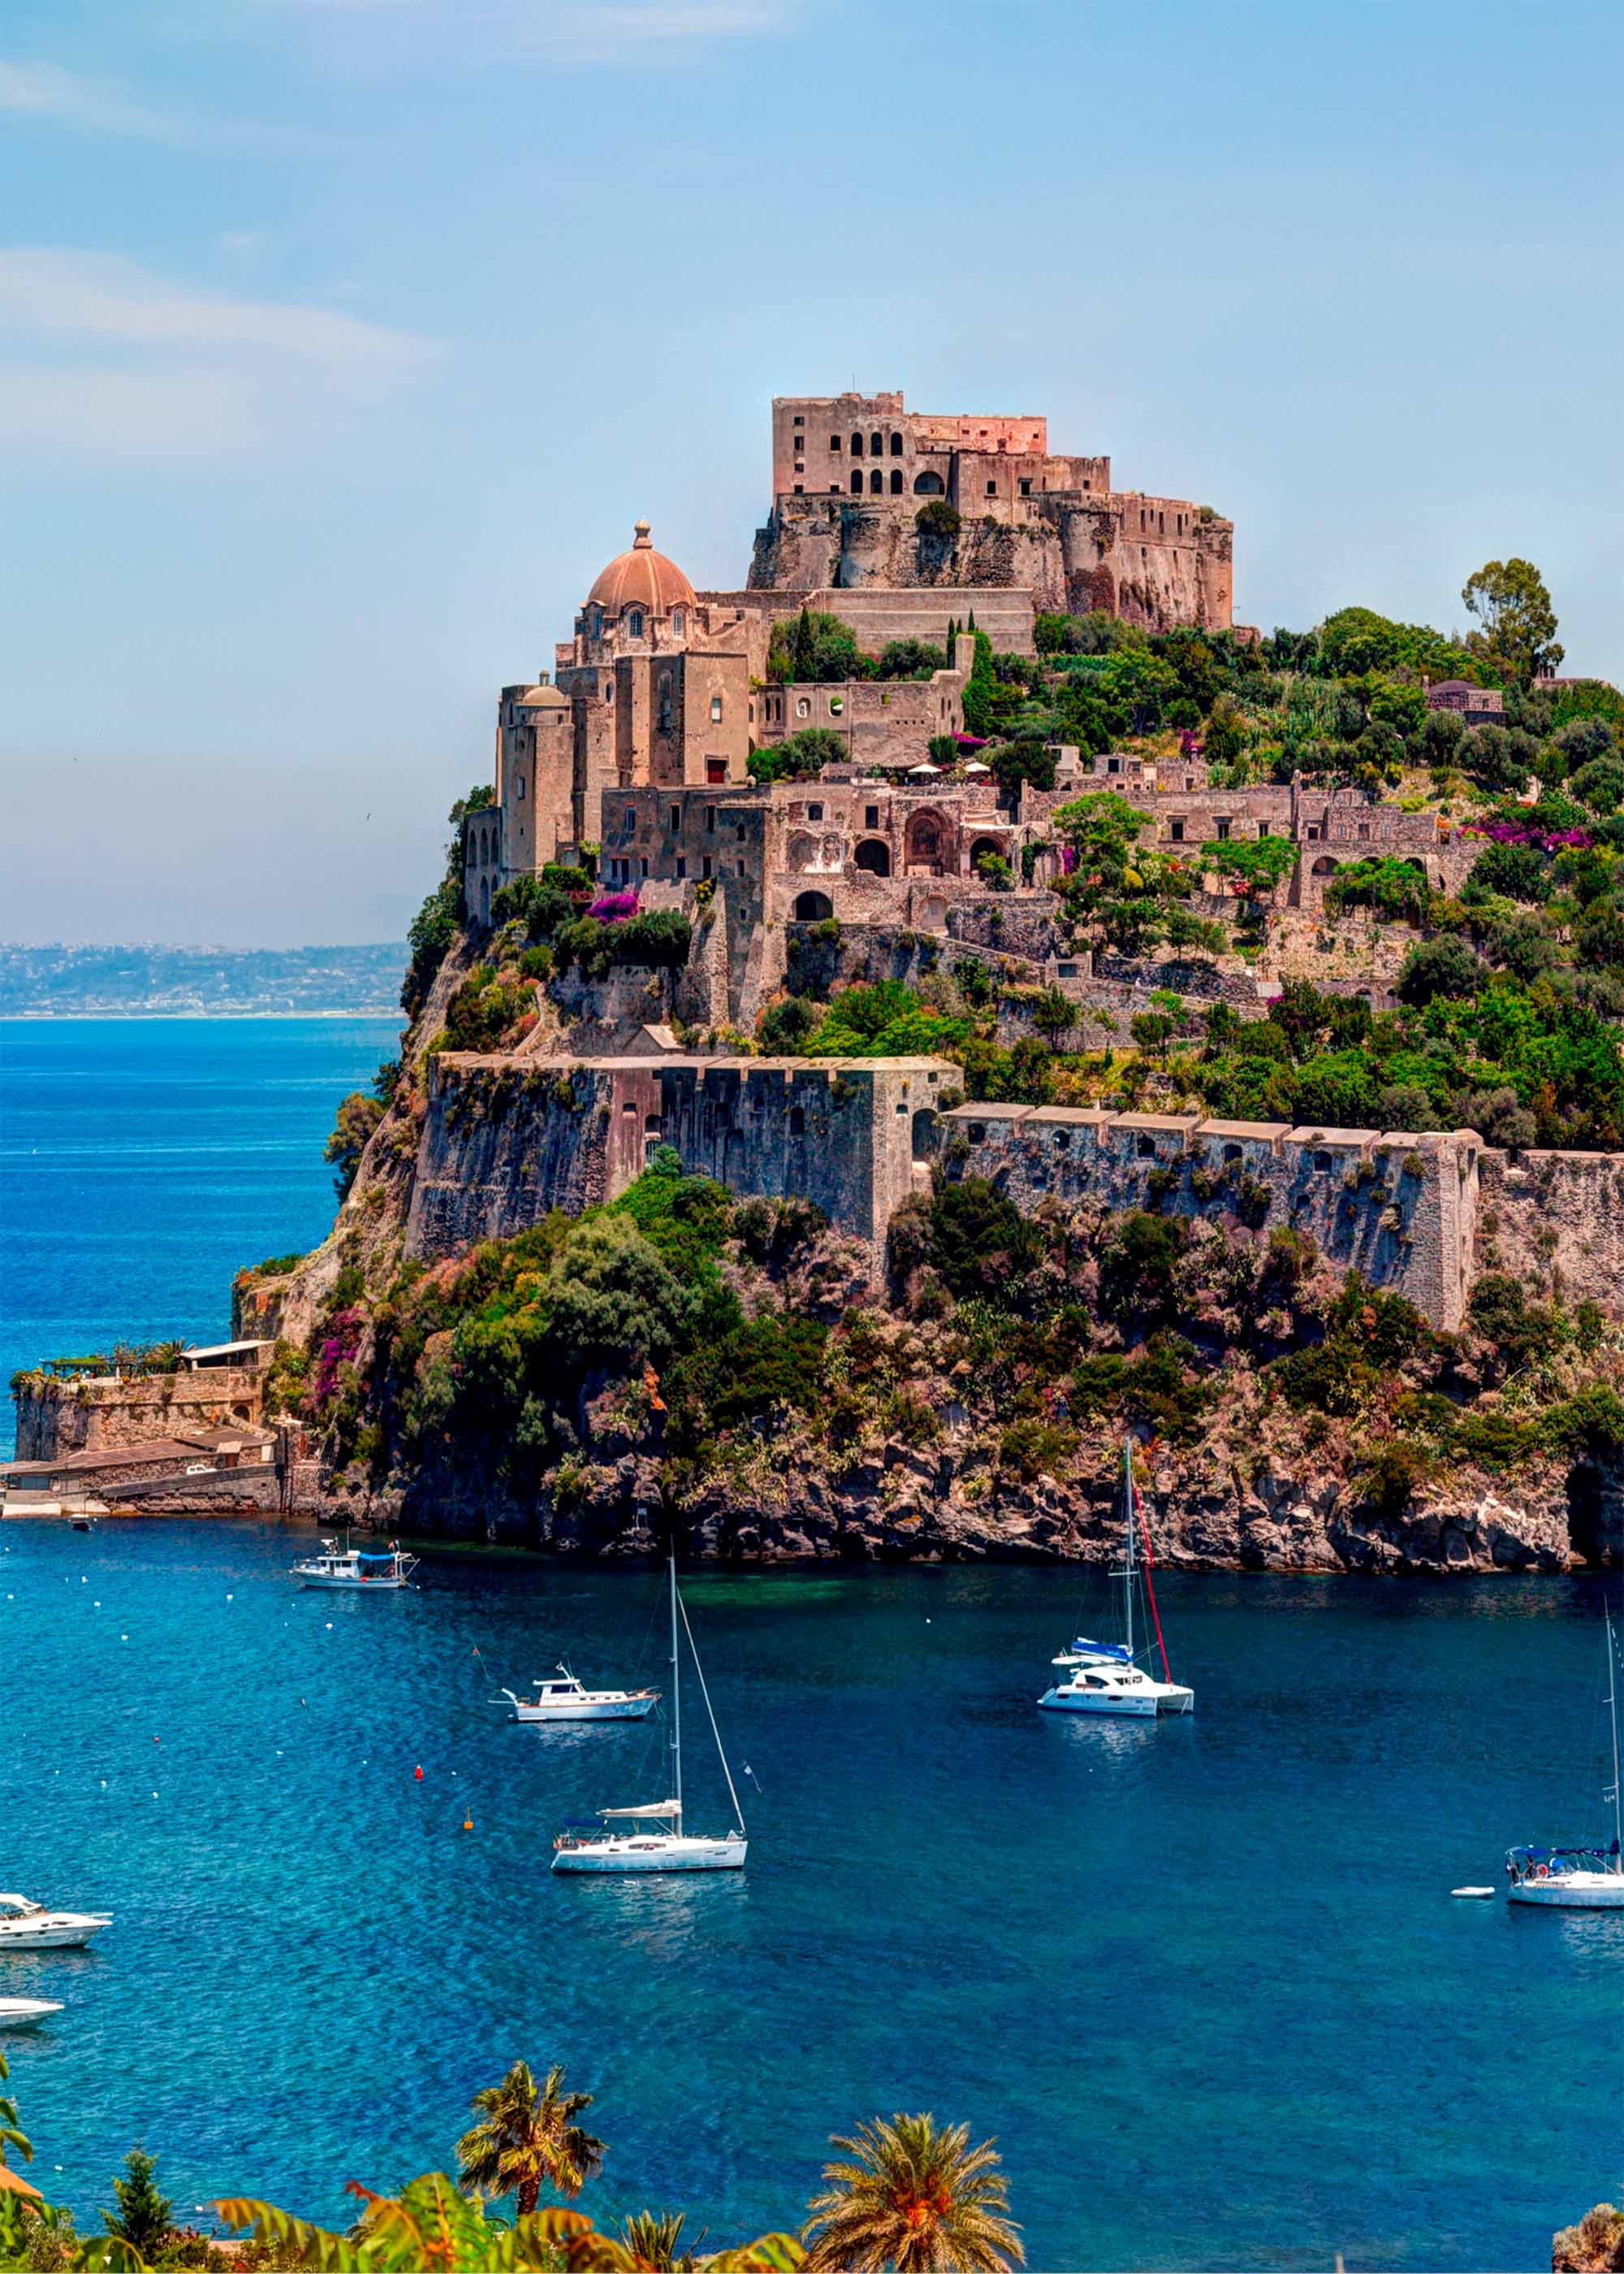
1202,1980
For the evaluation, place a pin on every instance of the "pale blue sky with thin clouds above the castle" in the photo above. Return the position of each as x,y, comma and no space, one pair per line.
345,340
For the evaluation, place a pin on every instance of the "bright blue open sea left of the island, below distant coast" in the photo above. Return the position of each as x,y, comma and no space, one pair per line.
144,1161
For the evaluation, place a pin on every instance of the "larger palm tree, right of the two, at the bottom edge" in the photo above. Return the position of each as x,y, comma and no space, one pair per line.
915,2198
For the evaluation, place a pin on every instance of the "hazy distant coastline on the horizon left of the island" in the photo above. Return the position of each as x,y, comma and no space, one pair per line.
192,984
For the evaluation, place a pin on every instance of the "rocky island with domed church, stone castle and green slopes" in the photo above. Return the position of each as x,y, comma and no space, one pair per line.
890,1029
